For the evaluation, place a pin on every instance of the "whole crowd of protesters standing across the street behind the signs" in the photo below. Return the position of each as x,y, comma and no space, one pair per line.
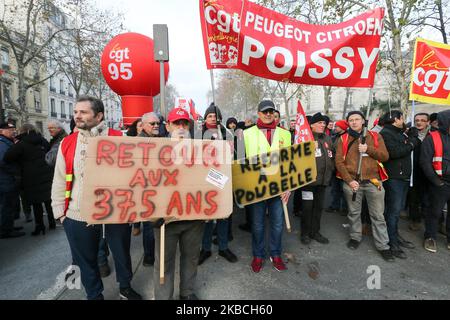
372,177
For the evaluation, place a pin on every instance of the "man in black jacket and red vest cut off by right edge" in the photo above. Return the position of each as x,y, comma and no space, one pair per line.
435,162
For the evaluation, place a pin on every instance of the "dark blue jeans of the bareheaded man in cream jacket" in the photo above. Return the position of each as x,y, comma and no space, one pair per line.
84,244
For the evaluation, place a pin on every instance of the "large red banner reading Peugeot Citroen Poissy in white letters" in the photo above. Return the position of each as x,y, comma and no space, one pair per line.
243,35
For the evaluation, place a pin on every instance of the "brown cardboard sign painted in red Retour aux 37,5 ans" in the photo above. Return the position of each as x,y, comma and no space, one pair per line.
129,179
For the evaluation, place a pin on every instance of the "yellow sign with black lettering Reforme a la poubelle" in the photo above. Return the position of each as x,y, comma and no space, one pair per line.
268,175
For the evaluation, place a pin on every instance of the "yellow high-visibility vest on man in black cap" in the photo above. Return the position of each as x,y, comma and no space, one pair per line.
256,142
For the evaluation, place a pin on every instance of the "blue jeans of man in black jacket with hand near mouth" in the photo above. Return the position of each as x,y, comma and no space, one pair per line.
396,191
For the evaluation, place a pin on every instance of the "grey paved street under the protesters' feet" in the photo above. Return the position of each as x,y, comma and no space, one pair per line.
32,268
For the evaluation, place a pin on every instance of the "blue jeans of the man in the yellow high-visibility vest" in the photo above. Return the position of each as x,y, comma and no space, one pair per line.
276,217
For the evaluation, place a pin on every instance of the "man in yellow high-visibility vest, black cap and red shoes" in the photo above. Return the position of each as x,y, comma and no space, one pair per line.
263,138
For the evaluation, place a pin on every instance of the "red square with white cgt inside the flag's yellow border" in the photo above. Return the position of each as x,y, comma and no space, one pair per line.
432,72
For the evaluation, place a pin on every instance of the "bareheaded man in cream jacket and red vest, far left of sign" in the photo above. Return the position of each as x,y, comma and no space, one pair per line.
66,202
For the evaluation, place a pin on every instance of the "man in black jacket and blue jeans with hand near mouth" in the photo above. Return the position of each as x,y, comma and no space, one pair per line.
398,167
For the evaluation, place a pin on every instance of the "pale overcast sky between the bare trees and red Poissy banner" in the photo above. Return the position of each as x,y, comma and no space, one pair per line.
187,59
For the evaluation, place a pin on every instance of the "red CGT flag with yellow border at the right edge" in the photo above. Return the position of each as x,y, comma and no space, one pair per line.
430,80
